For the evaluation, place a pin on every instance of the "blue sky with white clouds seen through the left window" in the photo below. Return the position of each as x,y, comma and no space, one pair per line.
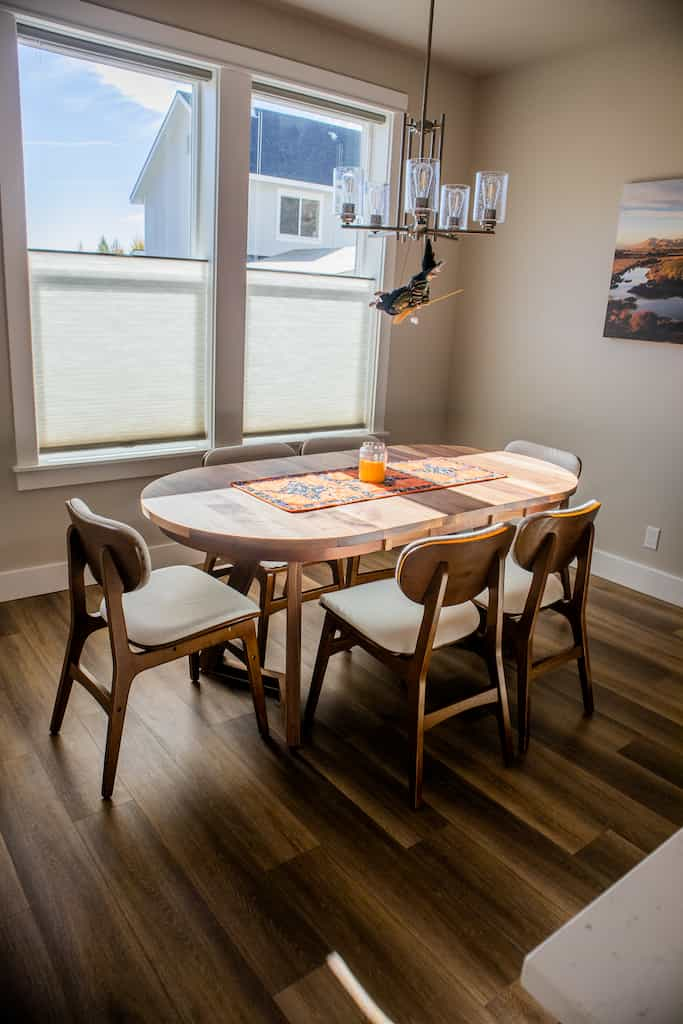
88,131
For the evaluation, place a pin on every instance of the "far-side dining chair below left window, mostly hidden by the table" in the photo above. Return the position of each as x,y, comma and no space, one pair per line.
269,574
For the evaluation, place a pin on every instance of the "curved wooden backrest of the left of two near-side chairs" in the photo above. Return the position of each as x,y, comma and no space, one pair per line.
471,559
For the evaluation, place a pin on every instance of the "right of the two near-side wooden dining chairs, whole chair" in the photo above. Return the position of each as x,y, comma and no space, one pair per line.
545,545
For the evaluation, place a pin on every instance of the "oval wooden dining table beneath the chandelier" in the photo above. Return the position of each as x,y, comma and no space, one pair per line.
200,509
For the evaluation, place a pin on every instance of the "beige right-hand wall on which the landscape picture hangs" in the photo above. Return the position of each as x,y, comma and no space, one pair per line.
530,360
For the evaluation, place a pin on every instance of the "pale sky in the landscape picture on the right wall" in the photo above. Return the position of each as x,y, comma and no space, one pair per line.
651,209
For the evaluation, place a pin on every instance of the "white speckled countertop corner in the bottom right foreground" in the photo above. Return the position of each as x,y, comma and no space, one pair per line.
621,960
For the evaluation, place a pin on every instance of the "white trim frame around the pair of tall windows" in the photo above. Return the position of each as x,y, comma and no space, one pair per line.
237,72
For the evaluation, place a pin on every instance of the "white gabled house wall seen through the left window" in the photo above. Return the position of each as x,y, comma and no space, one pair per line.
164,185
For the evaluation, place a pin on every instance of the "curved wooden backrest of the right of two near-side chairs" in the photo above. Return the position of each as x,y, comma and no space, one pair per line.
569,528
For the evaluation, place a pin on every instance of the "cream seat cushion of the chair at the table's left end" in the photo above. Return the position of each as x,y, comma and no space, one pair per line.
179,603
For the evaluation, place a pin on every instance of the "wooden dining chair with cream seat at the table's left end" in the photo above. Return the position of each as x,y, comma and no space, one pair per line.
153,617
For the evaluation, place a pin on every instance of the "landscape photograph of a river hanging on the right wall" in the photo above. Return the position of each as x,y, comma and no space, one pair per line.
646,302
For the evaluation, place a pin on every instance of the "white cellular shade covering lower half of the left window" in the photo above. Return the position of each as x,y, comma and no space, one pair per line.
119,349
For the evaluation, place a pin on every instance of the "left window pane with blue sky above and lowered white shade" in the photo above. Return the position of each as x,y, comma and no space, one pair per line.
119,288
